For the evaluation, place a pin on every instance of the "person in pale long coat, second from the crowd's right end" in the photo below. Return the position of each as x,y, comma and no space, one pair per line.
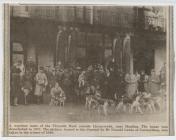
154,83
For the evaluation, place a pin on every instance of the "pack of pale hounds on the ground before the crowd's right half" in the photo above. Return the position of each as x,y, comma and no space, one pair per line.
140,103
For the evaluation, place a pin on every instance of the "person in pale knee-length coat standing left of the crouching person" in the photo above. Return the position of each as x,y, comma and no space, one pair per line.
41,83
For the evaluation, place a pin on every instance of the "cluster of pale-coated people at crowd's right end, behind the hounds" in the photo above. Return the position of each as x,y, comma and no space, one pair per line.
141,82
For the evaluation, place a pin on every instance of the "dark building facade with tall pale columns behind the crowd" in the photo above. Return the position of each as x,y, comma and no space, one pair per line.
89,34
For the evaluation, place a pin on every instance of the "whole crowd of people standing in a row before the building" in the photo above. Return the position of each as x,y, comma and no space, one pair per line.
42,85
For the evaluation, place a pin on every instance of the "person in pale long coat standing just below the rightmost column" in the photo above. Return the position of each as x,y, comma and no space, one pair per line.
131,85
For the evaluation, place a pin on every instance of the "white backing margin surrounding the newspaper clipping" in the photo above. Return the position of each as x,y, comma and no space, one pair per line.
119,2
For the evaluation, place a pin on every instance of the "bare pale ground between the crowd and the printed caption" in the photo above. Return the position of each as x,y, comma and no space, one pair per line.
75,113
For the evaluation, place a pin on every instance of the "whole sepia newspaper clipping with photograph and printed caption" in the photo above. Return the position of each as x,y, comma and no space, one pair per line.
88,70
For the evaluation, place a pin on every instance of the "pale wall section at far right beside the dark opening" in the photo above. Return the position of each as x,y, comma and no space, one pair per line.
160,58
